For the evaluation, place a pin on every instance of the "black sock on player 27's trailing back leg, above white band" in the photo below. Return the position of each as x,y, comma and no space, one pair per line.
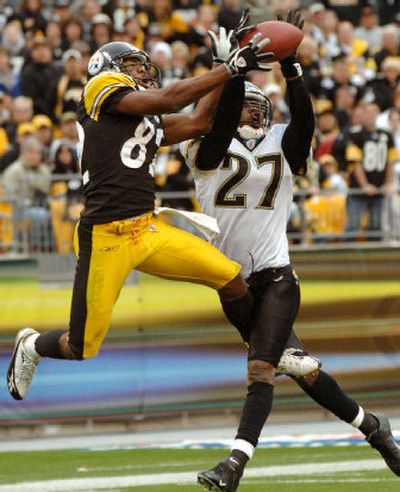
328,394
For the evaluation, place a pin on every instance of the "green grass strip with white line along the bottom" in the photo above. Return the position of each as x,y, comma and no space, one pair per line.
358,469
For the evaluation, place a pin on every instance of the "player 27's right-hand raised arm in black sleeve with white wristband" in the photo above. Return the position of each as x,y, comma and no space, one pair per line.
296,141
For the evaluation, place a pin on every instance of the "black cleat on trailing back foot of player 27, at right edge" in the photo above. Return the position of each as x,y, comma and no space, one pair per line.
383,441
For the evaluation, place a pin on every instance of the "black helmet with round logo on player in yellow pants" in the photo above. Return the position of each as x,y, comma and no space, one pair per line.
112,57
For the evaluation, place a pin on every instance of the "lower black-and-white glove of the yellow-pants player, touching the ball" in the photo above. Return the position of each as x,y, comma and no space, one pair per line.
242,60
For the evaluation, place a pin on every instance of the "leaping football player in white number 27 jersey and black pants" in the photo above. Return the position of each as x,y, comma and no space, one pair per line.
243,171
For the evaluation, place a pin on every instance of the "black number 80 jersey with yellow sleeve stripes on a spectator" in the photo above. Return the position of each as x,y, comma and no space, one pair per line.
374,150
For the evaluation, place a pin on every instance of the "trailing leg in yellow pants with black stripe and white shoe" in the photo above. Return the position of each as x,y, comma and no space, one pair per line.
103,264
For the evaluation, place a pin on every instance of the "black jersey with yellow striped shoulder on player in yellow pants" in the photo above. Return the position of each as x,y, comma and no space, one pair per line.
117,152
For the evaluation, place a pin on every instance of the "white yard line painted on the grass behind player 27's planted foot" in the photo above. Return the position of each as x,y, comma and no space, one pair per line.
114,483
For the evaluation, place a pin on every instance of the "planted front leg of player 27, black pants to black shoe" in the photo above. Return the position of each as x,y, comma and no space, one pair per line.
276,309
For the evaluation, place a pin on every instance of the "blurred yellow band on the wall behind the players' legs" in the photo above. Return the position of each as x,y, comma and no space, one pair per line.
155,301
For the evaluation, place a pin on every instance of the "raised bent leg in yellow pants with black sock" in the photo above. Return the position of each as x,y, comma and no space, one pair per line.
179,255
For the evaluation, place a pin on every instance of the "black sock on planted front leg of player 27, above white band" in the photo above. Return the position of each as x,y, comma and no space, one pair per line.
255,412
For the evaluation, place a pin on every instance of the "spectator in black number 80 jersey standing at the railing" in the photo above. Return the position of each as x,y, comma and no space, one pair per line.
371,154
